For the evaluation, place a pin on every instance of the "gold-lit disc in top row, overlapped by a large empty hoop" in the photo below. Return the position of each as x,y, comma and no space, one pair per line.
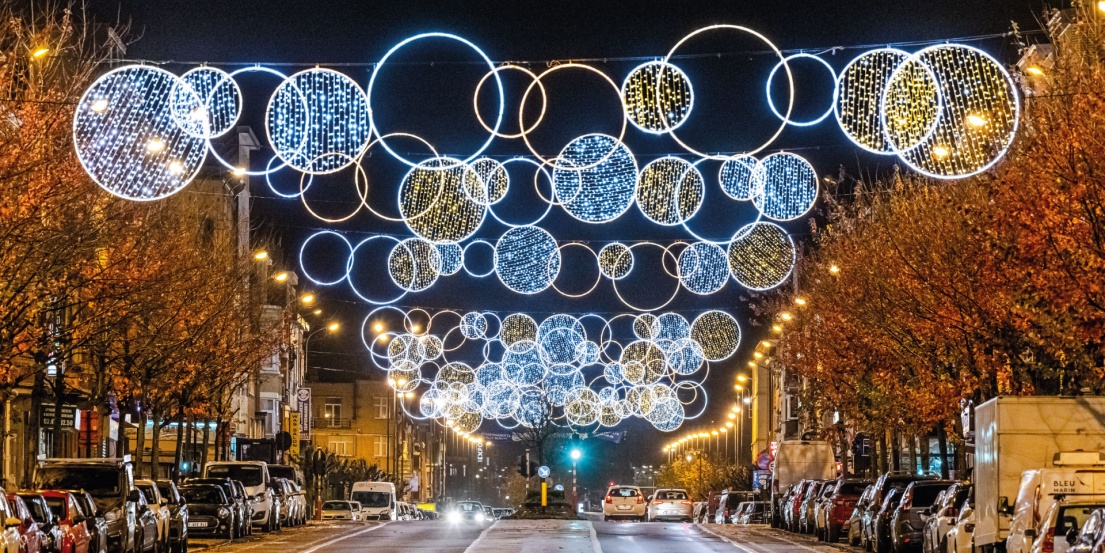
657,97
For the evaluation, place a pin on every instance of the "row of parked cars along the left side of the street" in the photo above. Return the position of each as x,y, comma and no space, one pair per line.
96,506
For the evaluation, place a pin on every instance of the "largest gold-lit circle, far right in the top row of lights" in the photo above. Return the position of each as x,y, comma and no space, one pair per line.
977,111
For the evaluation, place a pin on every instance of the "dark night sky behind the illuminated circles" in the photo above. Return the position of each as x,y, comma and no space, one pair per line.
435,101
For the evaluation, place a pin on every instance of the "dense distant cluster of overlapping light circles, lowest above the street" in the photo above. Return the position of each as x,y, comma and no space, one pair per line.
471,368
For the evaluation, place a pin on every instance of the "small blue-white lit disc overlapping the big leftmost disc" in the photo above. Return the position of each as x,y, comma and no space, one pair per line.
219,107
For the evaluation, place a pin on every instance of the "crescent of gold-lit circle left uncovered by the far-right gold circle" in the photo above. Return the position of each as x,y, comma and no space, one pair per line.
860,89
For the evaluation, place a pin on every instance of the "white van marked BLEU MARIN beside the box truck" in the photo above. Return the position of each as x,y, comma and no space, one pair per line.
1079,476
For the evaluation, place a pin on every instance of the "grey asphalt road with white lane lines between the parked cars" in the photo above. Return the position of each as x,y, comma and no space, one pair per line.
519,537
